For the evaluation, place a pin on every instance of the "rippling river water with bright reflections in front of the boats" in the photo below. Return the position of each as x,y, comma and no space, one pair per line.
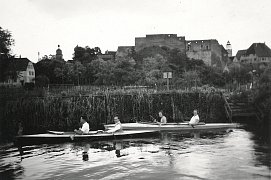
240,154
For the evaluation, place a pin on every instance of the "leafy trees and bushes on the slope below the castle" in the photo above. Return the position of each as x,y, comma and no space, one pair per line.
144,67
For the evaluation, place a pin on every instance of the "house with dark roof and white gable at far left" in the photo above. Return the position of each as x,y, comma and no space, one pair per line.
20,71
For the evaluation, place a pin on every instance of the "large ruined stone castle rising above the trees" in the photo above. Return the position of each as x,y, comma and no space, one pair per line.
210,51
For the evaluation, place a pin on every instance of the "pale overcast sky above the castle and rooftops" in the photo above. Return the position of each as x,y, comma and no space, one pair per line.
42,25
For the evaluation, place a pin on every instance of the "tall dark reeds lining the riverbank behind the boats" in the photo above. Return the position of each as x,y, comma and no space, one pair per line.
38,114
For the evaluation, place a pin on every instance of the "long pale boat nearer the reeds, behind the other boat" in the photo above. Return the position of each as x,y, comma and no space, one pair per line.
174,126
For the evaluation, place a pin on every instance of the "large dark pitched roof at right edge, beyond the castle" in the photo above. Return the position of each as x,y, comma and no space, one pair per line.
260,49
